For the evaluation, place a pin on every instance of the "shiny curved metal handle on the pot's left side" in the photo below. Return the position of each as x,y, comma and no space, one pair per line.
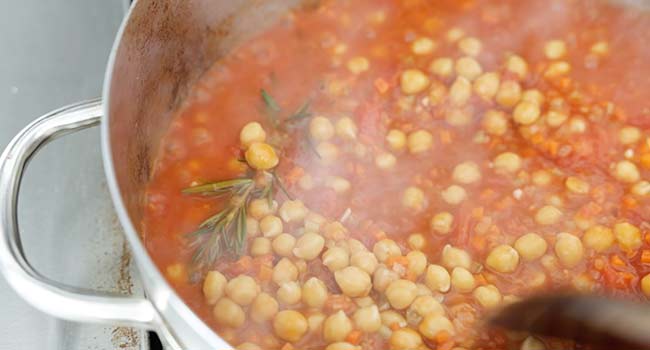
46,295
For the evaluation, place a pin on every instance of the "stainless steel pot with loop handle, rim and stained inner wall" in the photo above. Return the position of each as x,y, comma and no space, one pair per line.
163,46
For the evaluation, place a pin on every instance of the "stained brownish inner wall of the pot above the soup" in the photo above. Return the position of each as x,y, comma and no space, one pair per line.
165,47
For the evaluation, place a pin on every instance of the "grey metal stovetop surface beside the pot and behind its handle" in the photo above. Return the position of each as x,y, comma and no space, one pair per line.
54,52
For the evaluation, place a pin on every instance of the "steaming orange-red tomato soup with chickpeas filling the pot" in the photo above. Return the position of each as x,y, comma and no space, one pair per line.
494,149
